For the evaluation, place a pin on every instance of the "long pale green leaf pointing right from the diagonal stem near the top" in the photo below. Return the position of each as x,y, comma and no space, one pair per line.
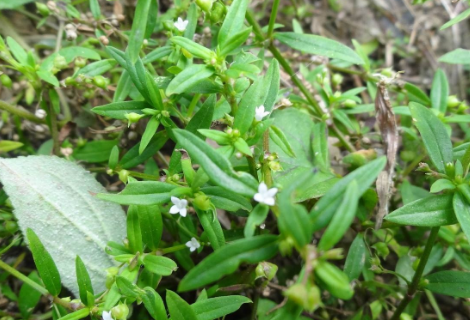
318,45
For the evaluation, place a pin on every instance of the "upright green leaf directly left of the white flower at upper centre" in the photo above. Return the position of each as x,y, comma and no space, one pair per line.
247,106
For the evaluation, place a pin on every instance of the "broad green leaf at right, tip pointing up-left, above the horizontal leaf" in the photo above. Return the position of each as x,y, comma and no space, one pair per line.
434,134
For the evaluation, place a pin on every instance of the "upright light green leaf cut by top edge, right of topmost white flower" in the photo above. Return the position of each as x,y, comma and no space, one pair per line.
233,22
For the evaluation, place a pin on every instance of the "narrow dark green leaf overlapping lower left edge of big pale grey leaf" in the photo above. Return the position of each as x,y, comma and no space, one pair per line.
44,263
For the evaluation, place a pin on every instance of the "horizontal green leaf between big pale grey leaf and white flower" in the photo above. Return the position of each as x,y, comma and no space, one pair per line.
144,193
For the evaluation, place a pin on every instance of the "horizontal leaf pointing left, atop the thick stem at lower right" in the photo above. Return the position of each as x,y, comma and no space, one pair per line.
432,211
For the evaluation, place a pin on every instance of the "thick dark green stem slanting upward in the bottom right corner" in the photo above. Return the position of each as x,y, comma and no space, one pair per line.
413,287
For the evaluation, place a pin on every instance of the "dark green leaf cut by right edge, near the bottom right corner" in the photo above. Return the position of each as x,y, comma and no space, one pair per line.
451,283
